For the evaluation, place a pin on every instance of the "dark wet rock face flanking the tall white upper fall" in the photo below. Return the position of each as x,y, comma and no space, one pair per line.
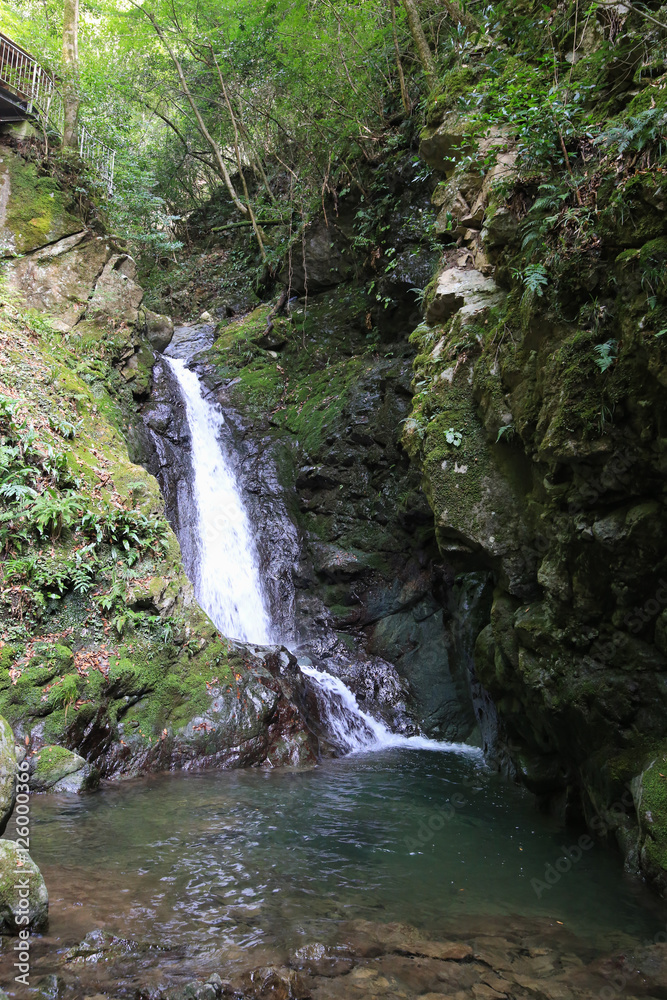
343,532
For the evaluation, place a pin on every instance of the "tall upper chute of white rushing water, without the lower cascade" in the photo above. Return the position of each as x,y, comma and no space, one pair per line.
228,583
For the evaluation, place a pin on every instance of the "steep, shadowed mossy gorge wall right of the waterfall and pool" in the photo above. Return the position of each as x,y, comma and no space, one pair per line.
538,422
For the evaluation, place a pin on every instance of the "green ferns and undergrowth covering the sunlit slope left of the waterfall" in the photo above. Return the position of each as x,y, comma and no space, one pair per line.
67,530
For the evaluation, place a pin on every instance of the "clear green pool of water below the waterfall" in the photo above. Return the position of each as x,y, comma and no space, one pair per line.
222,862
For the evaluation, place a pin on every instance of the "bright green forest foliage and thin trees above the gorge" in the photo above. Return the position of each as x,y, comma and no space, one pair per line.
303,94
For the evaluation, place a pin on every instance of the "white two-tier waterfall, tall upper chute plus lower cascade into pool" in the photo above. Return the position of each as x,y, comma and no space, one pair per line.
227,577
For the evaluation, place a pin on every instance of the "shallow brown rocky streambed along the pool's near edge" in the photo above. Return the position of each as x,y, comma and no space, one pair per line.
480,960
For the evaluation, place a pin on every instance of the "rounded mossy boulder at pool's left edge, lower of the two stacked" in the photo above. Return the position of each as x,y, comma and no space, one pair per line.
17,865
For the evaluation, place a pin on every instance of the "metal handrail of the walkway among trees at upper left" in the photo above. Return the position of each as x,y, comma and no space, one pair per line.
36,95
